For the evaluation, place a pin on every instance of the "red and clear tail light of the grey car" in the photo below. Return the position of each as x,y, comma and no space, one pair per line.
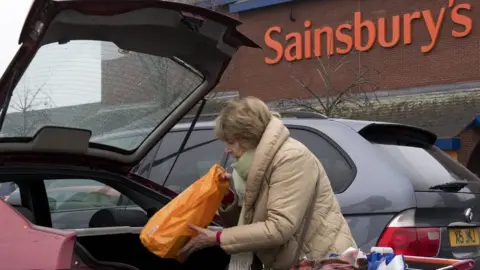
404,238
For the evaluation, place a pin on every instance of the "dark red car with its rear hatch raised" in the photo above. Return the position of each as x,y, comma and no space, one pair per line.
86,68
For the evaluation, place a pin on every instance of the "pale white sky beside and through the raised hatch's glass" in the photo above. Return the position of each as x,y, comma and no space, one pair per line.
68,75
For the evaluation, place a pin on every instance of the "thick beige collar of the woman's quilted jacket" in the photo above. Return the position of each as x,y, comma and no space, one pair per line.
272,139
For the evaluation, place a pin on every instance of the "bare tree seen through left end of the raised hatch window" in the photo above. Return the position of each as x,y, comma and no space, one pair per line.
31,106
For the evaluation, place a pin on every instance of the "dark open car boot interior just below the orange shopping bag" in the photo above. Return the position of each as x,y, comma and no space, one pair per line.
113,236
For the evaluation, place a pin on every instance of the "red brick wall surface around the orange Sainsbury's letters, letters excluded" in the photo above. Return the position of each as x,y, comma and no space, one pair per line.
452,60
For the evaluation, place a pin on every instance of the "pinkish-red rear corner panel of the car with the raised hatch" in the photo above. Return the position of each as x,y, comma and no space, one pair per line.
24,246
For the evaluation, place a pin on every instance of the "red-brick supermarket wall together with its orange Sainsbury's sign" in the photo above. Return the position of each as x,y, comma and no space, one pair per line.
404,44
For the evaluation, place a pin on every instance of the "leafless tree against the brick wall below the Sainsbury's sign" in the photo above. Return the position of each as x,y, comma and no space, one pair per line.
331,98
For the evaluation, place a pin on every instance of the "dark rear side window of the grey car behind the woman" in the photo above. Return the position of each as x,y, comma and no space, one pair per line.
339,171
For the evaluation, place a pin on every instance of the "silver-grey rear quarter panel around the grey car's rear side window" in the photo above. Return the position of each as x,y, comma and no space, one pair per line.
356,199
